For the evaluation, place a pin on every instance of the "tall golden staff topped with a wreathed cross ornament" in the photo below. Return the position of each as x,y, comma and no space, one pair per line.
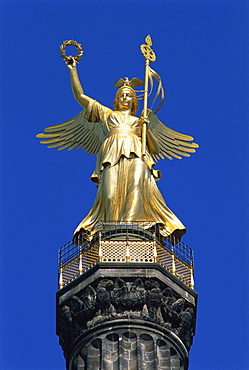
150,56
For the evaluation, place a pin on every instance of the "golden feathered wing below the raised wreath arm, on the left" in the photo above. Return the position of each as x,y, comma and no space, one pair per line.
76,133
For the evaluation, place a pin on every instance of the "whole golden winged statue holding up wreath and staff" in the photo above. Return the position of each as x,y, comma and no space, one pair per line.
127,149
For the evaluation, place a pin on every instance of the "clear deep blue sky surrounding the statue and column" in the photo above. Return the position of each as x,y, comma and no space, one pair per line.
202,57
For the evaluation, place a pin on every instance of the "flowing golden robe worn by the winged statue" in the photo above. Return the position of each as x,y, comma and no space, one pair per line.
127,189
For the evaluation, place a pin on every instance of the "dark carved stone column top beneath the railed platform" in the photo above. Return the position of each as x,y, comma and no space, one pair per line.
133,316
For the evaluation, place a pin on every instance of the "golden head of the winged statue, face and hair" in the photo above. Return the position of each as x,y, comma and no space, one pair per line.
126,98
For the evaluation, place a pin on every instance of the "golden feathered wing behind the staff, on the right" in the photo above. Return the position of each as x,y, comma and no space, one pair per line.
168,142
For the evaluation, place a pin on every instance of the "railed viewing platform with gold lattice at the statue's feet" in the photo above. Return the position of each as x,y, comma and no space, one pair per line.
126,242
